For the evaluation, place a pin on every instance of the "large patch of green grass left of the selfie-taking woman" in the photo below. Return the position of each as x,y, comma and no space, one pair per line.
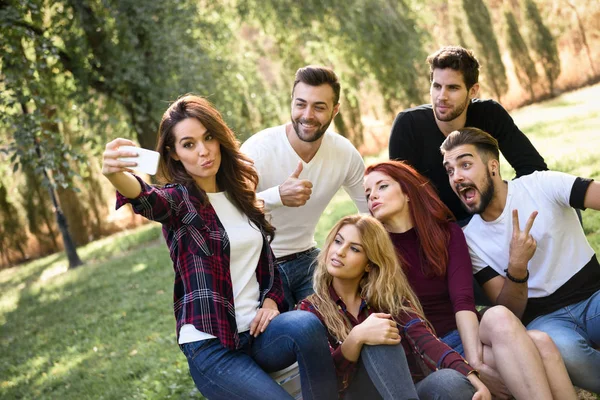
102,331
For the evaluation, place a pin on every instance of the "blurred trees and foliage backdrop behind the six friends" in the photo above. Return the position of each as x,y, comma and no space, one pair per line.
76,73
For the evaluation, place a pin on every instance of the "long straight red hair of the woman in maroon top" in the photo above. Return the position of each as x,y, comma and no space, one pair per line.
429,214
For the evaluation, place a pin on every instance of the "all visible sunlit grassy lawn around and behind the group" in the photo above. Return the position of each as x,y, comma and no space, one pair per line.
106,330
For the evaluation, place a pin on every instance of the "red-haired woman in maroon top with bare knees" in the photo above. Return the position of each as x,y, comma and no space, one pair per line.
435,258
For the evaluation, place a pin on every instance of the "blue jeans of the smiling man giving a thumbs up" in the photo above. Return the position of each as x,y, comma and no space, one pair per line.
296,277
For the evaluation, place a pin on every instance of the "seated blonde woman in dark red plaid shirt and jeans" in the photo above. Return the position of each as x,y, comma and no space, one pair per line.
378,336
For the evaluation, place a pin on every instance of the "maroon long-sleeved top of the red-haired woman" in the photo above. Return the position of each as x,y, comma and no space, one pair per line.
441,297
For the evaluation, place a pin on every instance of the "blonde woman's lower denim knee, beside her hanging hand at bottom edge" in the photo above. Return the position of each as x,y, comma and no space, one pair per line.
445,384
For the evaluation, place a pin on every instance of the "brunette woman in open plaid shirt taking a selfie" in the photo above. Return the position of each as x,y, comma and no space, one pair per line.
227,292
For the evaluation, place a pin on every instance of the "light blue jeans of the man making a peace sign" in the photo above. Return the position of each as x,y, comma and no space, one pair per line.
575,330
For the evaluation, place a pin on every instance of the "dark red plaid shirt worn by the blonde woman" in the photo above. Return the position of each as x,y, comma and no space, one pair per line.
424,351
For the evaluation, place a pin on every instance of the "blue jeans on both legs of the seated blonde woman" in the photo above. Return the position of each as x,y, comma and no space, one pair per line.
383,372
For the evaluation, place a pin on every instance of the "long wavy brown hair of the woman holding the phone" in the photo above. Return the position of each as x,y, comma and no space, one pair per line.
236,175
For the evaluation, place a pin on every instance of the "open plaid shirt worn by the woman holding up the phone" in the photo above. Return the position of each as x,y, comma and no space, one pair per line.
199,248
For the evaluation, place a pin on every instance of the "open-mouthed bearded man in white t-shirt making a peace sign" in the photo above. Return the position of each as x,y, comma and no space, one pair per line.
544,270
